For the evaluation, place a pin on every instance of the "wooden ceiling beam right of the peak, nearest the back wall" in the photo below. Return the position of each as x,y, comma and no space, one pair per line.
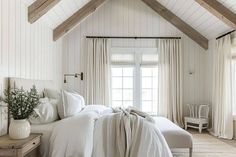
177,22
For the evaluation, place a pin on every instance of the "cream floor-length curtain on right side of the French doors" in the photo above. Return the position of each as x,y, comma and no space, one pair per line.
170,79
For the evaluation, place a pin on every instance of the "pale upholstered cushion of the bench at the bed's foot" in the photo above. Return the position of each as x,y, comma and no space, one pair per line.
175,136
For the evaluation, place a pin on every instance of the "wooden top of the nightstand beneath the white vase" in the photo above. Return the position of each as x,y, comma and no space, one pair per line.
7,143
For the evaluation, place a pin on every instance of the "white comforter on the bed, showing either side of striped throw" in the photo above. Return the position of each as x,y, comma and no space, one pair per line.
83,136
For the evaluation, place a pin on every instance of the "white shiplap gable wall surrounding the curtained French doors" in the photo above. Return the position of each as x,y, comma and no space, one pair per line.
132,18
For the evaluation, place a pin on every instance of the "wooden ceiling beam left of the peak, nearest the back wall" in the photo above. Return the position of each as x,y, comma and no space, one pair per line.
76,18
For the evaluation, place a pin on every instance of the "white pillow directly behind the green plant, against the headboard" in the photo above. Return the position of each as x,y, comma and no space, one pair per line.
46,112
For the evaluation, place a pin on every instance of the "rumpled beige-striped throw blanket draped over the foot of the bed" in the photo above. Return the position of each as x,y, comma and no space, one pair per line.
128,133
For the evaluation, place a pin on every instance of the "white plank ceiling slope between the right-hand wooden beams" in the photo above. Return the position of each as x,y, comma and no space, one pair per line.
198,17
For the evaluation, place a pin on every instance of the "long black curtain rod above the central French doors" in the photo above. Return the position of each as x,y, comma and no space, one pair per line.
120,37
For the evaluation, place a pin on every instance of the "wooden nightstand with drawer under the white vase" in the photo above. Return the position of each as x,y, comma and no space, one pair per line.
28,147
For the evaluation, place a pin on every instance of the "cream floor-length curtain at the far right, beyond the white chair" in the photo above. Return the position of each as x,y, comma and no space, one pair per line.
222,90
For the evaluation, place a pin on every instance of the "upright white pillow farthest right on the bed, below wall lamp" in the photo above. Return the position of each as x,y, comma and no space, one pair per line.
72,104
